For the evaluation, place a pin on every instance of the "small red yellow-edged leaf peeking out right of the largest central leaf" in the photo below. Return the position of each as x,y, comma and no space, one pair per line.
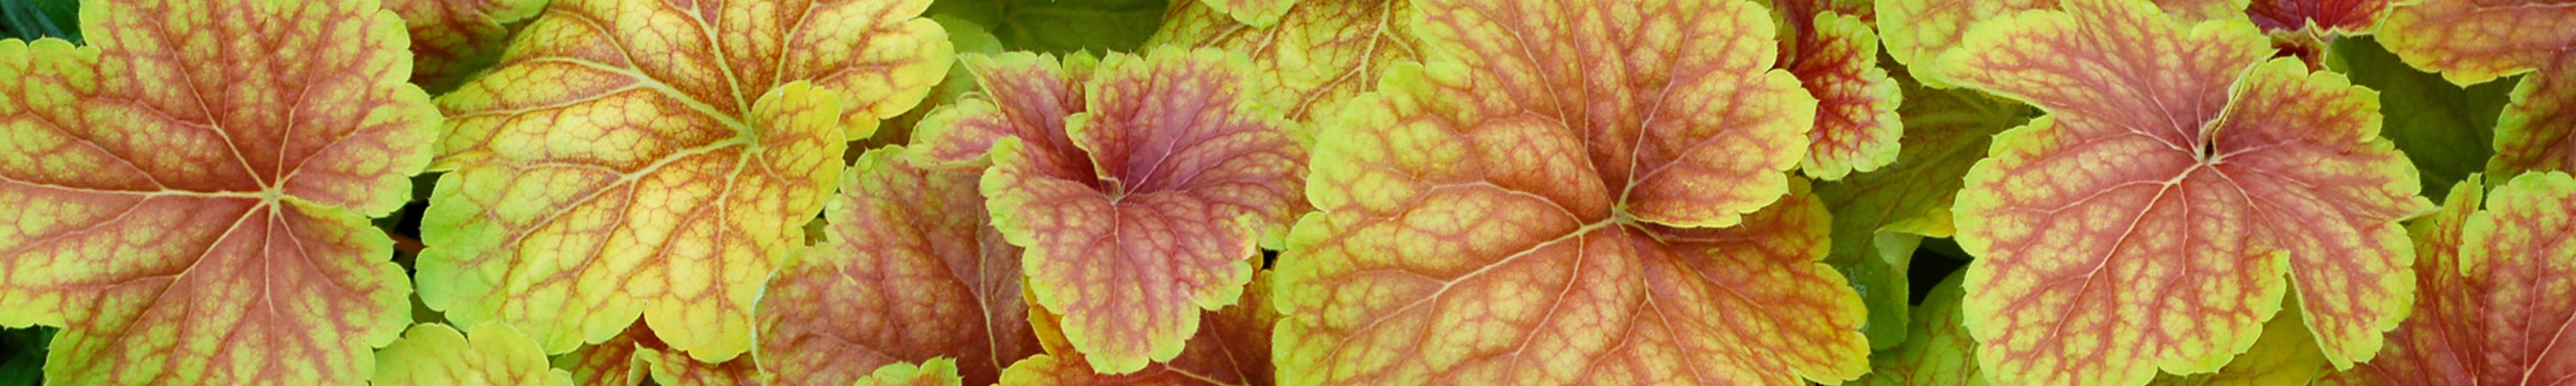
1835,55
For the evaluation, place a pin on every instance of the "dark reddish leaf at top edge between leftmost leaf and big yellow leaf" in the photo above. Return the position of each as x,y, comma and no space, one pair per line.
457,37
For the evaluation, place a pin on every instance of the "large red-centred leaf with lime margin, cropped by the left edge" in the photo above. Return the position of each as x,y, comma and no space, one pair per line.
189,197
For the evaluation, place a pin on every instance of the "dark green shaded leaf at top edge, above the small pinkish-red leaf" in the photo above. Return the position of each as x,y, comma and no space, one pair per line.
1063,27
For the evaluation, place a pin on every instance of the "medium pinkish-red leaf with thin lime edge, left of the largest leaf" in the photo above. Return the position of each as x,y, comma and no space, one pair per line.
1140,187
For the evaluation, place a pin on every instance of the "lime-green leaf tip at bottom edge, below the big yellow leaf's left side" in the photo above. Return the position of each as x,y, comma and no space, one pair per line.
437,356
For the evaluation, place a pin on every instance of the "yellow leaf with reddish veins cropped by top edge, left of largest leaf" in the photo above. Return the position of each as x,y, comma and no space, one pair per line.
1323,53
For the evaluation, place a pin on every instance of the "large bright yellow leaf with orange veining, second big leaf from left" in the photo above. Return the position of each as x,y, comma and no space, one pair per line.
658,158
